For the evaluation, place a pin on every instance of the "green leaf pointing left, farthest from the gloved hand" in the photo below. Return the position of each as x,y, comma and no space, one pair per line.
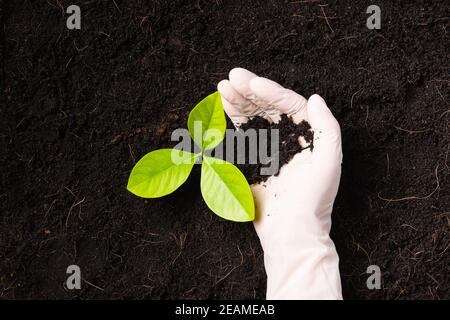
160,172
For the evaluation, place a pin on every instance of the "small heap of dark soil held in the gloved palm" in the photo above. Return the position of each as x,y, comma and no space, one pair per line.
288,136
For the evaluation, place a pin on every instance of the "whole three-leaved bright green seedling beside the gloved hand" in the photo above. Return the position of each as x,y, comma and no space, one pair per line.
223,187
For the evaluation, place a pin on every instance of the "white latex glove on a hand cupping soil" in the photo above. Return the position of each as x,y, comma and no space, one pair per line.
293,210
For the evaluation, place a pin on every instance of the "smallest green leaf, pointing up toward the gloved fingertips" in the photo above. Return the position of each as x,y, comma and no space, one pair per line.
207,122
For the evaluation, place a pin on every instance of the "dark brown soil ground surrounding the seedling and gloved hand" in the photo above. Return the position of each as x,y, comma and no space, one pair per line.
79,108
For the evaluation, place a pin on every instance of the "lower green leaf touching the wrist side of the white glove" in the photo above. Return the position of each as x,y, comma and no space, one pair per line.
226,191
